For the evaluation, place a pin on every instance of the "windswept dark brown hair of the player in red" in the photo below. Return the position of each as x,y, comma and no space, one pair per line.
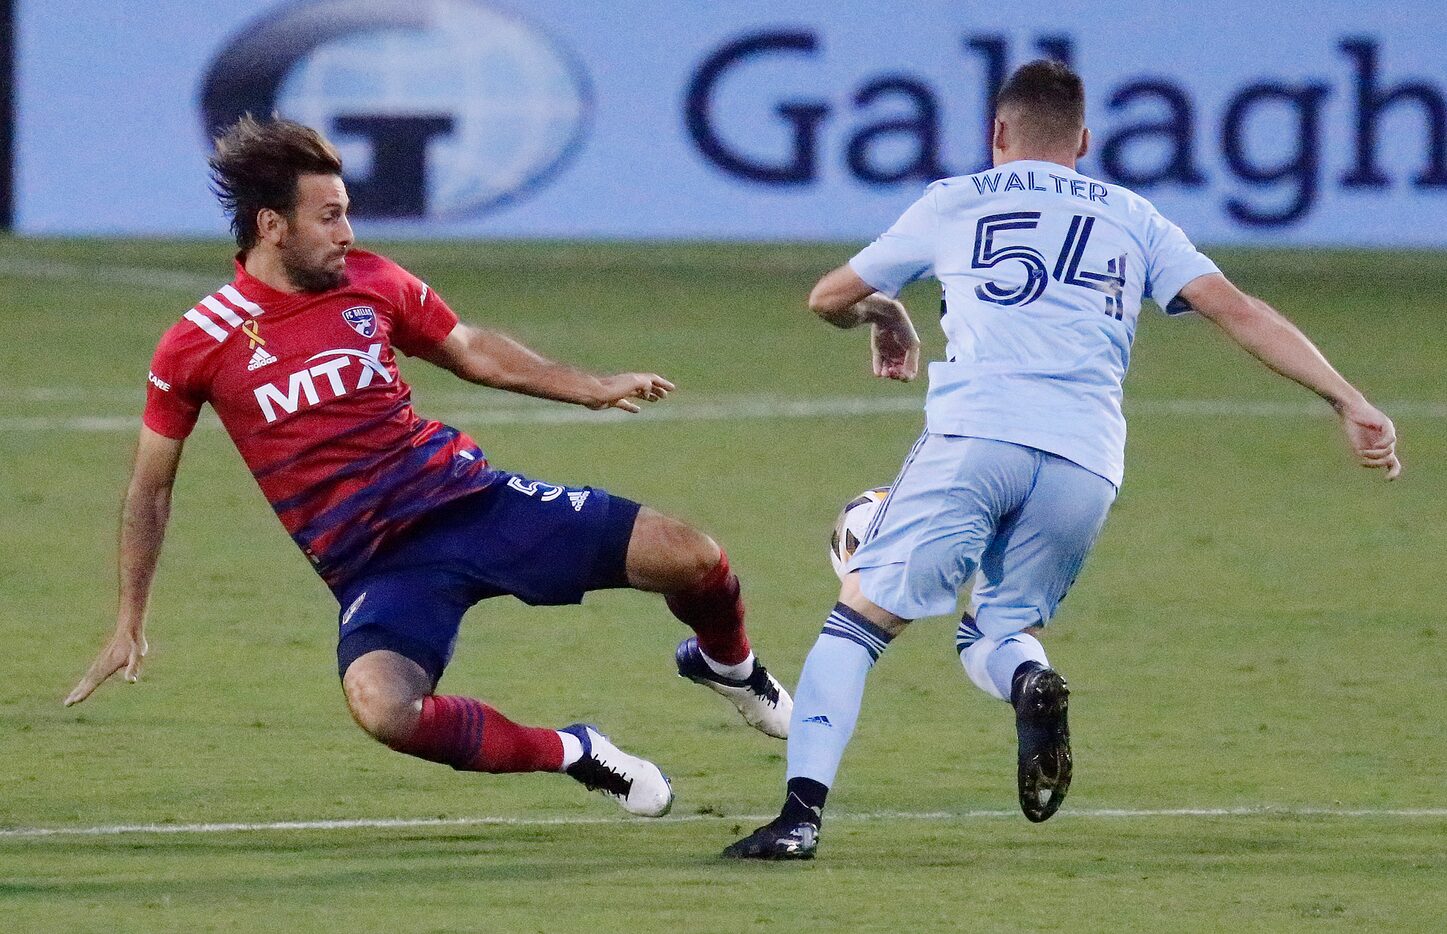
257,166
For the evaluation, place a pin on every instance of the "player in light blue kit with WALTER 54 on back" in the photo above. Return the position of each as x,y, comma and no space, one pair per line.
1044,273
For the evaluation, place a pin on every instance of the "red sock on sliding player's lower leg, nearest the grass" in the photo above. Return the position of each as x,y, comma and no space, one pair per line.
474,738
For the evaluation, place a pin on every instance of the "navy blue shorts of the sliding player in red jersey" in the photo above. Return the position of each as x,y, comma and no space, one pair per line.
542,544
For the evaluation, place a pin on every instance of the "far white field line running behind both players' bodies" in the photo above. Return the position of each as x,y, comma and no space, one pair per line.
720,411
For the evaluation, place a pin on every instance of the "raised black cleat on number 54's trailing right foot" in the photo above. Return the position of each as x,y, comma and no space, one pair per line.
1041,699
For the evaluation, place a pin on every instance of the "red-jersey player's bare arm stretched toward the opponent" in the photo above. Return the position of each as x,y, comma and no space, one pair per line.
493,360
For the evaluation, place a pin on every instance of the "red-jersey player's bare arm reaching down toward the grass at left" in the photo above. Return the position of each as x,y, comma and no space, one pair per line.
143,528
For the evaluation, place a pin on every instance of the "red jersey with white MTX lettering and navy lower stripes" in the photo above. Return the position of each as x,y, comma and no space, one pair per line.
309,390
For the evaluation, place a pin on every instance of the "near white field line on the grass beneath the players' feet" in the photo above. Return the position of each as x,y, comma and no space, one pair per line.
112,830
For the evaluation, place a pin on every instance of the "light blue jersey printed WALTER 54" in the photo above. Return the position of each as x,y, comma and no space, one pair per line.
1044,273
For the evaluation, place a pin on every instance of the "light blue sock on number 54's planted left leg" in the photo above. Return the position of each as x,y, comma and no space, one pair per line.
827,703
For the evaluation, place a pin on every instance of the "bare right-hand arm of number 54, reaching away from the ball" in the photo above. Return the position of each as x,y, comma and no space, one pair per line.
1268,337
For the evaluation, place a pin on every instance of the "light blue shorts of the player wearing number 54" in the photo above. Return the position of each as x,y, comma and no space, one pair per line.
1024,518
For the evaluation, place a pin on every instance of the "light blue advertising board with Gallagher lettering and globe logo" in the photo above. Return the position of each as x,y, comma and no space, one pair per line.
1247,124
